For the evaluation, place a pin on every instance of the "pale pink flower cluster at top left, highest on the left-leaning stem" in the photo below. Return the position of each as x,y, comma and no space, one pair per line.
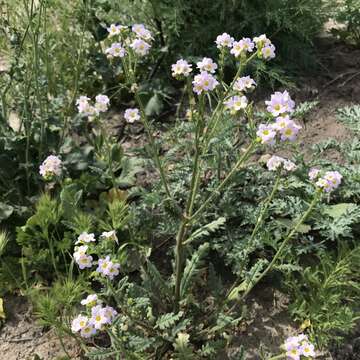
139,42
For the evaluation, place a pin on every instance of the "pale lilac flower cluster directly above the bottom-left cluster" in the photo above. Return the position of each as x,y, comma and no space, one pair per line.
106,267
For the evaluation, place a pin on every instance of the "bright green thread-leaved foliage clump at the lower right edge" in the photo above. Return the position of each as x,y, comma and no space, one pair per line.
325,294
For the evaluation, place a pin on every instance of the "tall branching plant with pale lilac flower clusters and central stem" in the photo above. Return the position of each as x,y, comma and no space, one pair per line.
155,313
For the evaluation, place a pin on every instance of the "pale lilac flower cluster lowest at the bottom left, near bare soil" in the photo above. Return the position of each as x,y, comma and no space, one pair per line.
97,319
